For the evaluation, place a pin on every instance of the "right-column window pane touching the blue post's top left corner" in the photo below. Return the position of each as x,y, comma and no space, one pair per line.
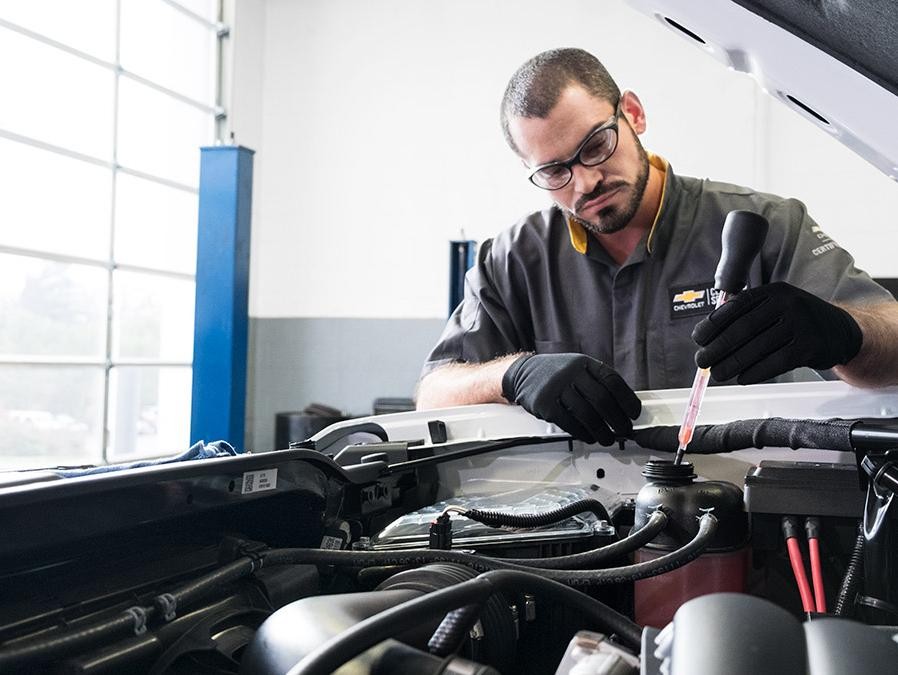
160,135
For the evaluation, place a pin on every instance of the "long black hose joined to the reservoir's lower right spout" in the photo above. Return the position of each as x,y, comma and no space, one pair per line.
613,575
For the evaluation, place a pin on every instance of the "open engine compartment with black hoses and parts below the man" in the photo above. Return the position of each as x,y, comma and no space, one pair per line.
372,550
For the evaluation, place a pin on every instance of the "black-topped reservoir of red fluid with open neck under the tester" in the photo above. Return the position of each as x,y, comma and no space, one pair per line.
724,564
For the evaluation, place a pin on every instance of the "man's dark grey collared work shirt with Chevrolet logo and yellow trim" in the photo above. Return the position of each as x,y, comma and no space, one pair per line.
532,290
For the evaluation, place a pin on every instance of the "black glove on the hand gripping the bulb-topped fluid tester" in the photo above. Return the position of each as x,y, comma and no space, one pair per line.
772,329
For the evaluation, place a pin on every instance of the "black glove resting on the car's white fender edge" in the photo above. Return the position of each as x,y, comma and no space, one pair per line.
579,394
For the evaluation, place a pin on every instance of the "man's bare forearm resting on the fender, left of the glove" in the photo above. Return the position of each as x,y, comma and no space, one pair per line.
464,384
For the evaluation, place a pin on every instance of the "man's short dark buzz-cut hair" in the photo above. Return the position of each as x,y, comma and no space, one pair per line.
536,86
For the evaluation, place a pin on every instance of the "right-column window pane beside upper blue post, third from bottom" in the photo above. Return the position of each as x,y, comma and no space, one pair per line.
155,225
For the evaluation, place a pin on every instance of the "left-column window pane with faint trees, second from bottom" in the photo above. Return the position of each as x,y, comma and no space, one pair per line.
51,308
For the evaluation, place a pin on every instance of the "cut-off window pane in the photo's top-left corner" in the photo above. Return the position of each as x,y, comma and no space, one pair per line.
87,26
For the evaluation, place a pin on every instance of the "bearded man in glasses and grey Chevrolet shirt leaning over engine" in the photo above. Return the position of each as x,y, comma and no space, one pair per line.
575,306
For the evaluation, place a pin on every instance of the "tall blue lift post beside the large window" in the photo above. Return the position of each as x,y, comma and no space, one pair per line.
222,286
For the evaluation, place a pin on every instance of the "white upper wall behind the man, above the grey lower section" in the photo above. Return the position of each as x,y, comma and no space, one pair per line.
376,128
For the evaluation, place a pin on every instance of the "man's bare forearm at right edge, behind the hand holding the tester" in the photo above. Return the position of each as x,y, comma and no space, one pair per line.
876,364
